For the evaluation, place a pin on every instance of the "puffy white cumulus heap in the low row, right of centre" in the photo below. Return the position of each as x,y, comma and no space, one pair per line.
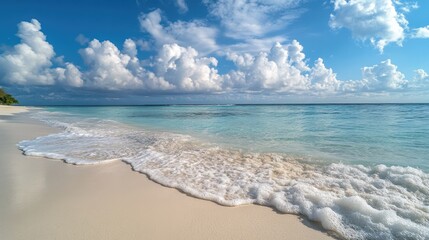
284,69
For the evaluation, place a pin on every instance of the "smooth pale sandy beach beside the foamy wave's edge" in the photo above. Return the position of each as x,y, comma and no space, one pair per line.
47,199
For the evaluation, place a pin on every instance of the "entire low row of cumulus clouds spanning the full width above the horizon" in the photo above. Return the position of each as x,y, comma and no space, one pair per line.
181,69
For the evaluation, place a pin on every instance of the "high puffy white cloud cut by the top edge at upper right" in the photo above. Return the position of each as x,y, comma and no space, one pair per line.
375,20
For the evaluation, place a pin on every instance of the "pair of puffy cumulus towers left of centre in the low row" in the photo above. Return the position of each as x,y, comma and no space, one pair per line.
177,69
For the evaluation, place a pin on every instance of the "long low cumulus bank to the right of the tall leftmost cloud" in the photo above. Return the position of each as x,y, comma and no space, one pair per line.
178,69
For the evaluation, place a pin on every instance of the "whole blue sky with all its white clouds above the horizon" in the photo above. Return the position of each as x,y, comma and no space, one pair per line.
214,52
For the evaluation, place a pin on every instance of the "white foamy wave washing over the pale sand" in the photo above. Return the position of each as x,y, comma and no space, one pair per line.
356,202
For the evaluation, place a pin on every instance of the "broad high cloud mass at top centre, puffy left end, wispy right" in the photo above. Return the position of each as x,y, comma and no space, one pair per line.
251,26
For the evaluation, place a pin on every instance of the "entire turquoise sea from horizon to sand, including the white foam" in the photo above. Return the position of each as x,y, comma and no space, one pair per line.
360,170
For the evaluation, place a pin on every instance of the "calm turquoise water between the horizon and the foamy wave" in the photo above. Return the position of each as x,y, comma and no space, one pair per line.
357,134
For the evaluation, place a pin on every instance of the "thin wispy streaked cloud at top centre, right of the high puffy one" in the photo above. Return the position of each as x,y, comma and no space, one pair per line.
253,25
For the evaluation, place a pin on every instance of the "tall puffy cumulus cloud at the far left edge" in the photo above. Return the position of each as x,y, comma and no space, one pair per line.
30,62
